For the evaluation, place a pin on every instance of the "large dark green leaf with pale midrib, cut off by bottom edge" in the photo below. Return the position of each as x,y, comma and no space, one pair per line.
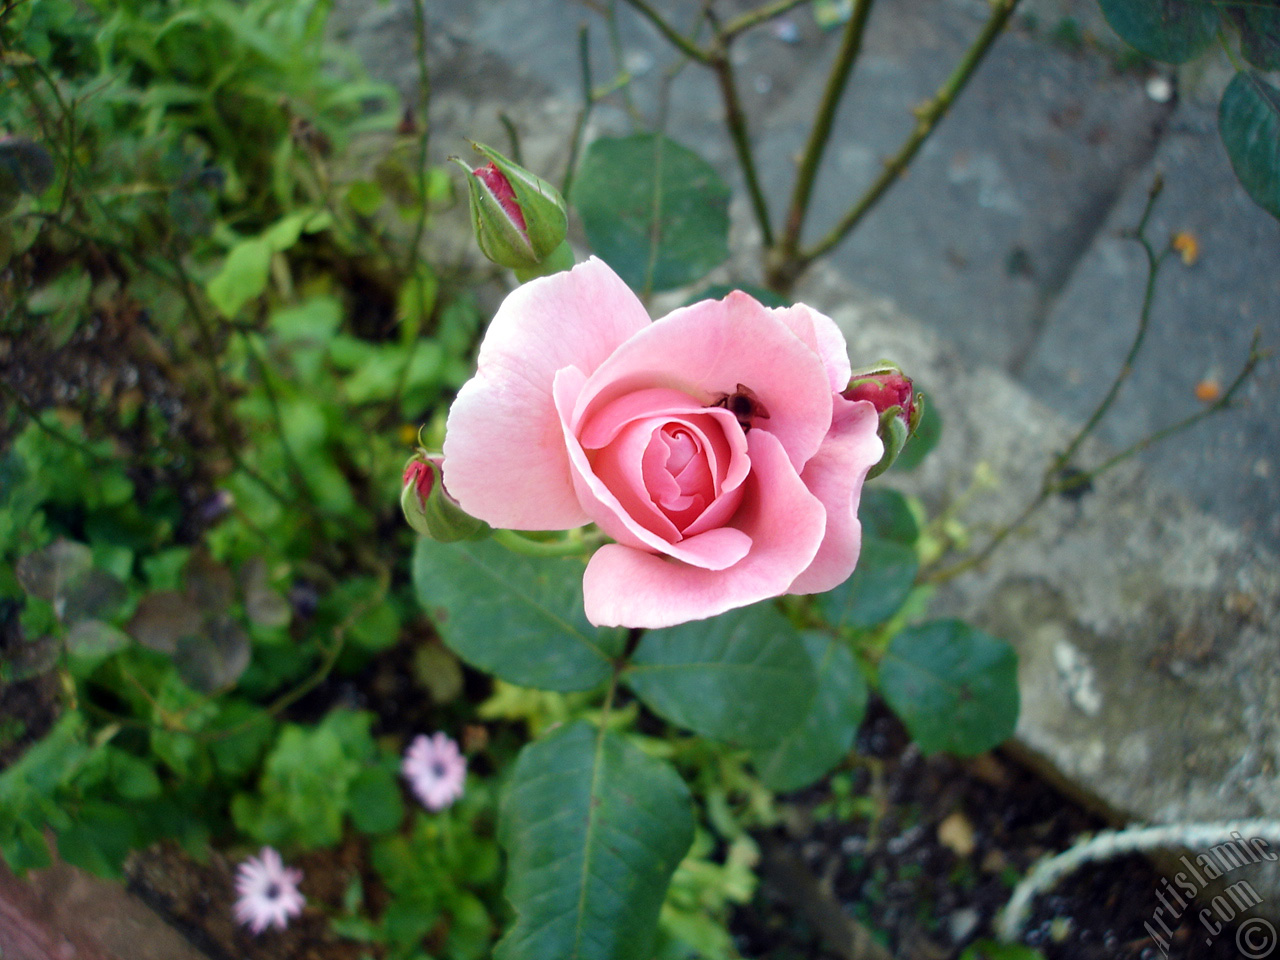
593,830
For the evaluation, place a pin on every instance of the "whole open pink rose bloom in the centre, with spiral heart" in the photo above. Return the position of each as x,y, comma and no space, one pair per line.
714,445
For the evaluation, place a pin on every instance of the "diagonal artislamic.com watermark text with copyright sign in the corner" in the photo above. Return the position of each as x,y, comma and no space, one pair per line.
1255,936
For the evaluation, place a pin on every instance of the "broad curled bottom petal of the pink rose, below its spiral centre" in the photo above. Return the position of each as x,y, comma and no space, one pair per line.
625,587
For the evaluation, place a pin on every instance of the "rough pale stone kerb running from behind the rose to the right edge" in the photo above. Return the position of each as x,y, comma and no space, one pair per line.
1146,630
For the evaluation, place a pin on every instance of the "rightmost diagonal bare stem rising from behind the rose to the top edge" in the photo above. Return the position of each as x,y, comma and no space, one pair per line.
927,121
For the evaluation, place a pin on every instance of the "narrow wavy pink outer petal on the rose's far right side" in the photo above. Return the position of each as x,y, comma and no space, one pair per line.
835,477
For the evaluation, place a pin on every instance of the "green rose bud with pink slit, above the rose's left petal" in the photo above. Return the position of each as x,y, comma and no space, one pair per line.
519,218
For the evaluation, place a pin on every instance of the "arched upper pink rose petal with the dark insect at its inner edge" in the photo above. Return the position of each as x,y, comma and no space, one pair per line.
707,350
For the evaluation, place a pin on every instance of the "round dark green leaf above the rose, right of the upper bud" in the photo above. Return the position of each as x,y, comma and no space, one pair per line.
656,212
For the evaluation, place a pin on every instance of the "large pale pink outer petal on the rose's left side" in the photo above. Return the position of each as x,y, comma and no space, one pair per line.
505,460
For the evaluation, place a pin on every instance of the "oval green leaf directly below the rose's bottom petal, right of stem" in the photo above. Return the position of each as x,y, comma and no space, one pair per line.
743,678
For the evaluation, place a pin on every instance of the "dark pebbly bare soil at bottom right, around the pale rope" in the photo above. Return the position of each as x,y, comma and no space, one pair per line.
927,861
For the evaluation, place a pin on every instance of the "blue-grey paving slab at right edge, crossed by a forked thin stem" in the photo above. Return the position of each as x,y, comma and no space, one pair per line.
1203,321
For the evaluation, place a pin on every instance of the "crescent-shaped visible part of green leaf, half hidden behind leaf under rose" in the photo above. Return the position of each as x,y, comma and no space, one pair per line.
826,735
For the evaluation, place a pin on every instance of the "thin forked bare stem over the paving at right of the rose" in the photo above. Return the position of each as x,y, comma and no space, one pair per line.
1059,478
